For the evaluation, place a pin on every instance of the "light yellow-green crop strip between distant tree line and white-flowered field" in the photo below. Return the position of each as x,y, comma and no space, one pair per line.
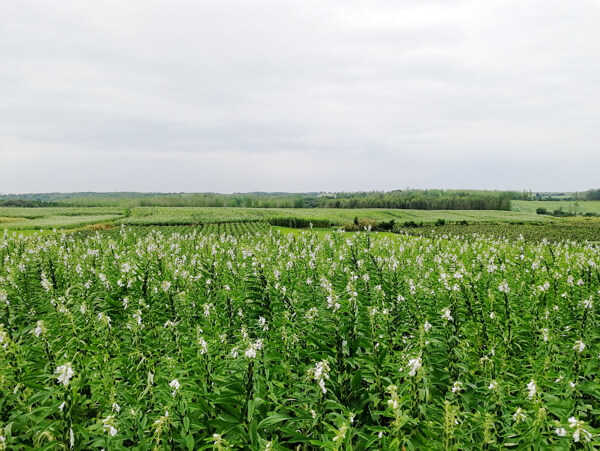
74,218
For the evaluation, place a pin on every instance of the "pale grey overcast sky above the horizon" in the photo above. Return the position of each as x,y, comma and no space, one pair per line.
299,95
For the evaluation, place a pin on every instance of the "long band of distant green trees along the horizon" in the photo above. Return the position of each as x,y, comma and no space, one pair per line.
399,199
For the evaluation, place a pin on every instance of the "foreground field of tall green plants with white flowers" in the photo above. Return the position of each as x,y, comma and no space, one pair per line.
206,339
